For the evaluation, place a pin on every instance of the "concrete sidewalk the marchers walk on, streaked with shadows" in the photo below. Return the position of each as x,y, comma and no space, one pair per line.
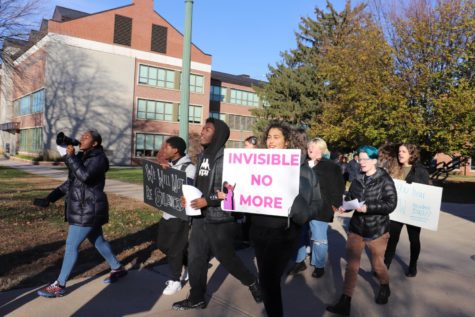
444,286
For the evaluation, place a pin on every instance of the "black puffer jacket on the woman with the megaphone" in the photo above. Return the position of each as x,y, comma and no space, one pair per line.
86,202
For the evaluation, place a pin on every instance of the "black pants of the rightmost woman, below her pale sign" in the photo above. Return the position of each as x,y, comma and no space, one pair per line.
415,243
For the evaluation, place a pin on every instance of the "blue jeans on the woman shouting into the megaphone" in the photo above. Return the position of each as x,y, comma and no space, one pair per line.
76,235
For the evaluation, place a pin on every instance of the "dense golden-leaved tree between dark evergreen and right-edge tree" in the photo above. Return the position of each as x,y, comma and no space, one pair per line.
361,103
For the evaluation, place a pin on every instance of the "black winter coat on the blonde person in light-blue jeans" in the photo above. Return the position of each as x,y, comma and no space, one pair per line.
332,187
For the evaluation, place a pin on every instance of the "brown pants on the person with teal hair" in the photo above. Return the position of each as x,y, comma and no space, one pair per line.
354,248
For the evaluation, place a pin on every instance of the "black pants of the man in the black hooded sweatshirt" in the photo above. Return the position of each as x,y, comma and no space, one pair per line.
213,239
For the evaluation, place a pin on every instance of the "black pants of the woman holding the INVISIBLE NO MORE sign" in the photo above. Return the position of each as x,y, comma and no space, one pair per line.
274,248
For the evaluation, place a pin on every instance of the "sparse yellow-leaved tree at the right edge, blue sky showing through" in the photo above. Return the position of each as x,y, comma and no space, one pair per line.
434,52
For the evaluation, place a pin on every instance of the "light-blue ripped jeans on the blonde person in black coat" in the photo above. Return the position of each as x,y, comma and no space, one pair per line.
319,239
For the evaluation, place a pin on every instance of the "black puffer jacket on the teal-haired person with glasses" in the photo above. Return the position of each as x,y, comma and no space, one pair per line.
380,197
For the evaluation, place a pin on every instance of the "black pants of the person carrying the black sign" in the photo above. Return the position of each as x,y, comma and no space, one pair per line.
173,241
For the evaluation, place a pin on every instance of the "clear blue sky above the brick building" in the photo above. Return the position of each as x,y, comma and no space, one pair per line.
243,36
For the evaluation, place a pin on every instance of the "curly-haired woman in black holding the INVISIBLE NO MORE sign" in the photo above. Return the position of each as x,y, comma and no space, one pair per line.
275,238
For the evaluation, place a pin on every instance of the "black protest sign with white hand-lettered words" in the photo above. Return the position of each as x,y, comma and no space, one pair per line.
162,188
